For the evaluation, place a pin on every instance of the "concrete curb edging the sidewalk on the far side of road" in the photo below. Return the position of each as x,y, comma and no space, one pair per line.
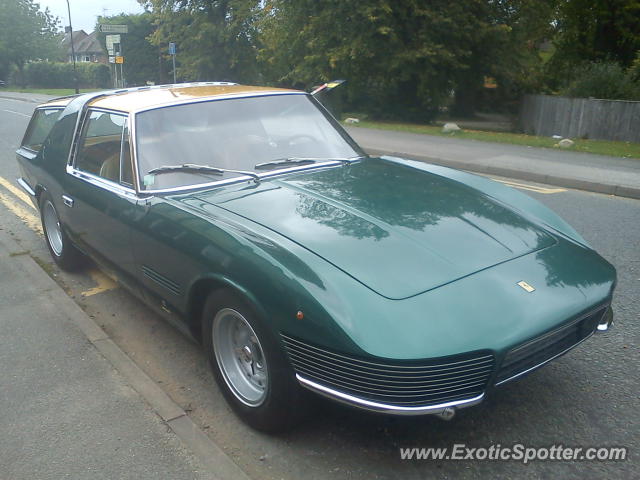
590,186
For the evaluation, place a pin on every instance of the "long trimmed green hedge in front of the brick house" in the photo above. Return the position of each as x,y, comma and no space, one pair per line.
60,75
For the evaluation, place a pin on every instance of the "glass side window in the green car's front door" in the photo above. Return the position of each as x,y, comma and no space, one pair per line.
101,145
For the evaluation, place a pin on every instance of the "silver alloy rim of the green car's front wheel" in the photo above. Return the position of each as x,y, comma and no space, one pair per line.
240,357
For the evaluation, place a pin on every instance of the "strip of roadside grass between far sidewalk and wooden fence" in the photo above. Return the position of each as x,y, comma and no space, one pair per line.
601,147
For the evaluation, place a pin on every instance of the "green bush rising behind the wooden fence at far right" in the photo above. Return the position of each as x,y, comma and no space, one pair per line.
607,80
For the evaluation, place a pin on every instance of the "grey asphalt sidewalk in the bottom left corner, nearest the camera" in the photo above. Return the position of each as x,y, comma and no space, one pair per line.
73,404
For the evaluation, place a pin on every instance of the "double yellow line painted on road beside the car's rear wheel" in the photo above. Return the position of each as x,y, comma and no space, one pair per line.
28,214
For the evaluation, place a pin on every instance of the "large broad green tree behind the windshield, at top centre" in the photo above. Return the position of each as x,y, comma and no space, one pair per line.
401,57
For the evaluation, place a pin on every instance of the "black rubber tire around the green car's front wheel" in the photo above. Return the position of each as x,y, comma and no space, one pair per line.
283,404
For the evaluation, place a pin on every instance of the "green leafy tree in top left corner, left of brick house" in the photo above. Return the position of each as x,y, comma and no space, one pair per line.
26,33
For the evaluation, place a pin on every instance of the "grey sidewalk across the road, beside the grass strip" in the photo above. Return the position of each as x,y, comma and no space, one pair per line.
584,171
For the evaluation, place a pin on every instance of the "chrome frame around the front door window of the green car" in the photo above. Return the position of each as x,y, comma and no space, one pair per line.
91,178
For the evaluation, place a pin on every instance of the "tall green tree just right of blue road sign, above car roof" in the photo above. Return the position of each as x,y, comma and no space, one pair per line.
215,38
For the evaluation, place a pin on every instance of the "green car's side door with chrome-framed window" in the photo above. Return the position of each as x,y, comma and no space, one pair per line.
98,191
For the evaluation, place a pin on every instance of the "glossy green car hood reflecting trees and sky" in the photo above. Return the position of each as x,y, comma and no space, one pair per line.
397,230
